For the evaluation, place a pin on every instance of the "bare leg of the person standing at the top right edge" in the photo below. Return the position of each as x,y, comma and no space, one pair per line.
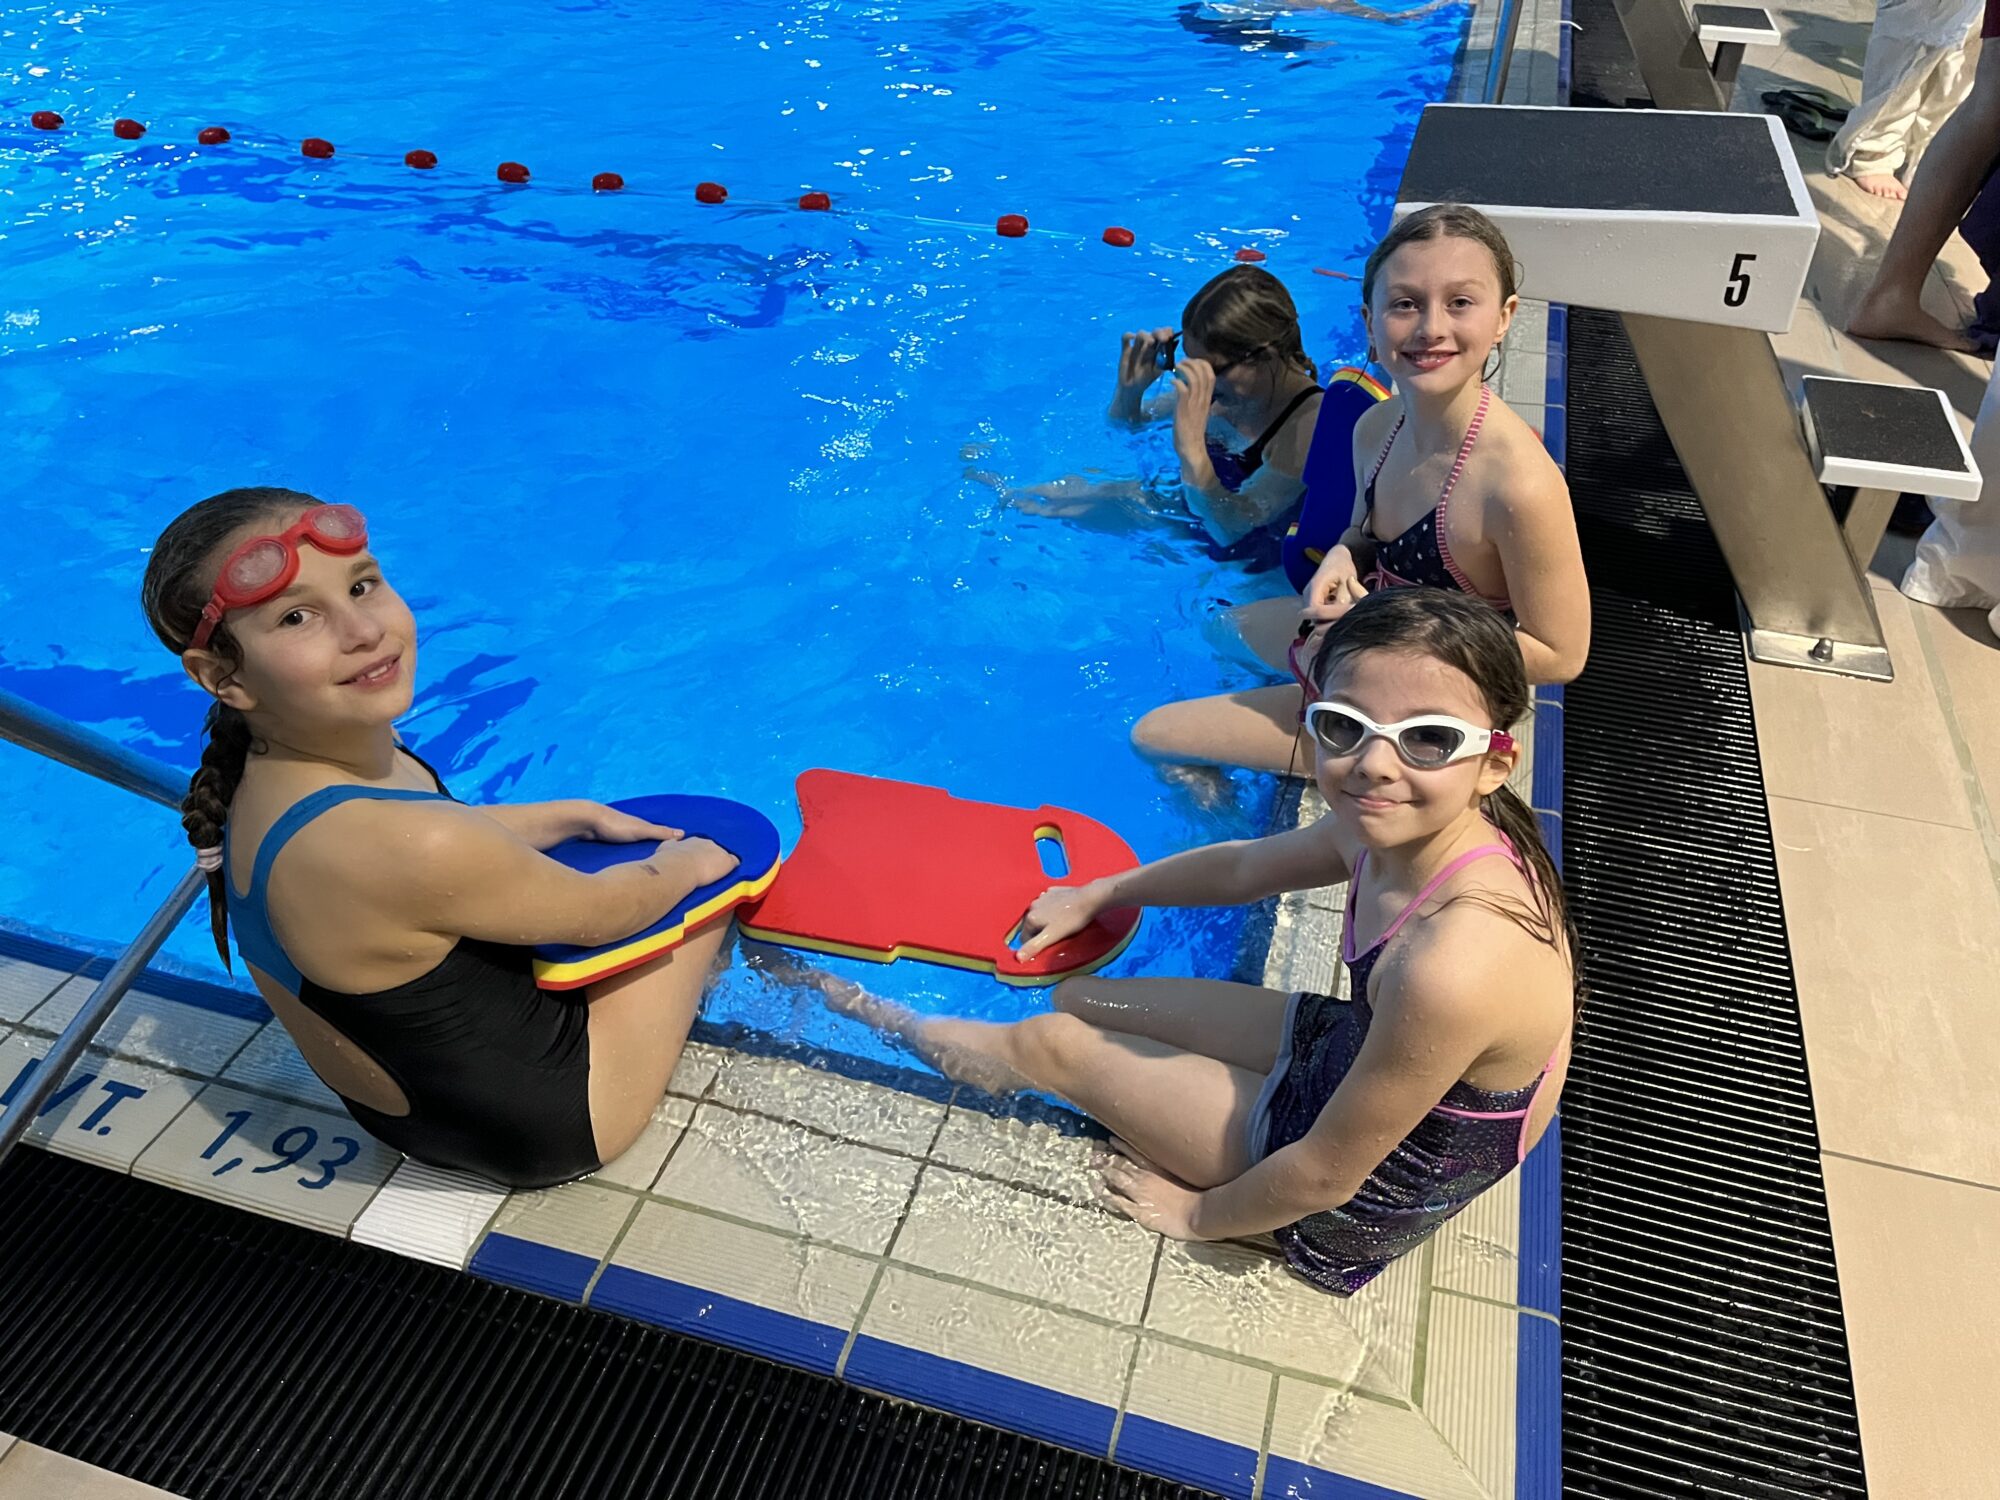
1955,167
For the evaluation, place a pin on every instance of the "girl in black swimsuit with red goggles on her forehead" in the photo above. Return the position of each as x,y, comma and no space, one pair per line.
389,925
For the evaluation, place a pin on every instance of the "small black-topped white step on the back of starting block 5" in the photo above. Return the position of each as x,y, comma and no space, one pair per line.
1889,439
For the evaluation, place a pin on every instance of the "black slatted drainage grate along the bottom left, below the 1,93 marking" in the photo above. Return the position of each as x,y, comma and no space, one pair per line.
227,1357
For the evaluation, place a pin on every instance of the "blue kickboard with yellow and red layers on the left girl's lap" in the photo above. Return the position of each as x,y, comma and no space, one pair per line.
745,833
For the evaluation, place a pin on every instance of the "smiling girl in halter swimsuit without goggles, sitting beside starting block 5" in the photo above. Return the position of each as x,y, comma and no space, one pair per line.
1451,491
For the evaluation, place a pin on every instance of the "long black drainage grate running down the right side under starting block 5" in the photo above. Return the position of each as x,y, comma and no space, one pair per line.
1705,1351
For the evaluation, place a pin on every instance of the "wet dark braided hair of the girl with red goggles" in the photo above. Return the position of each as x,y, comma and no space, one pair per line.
181,575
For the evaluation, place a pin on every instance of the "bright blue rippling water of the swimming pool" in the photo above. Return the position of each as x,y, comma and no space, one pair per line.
683,497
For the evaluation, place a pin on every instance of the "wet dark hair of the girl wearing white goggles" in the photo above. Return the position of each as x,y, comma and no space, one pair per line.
1477,639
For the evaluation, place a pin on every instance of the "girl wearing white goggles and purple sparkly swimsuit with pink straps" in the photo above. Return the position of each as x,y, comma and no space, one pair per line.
1351,1129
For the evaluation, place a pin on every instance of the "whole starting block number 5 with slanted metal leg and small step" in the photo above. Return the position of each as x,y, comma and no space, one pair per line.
1699,229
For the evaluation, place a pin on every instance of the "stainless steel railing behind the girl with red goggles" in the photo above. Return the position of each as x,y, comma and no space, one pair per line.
55,737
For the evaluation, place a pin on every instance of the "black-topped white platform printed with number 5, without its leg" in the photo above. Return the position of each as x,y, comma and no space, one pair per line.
1669,213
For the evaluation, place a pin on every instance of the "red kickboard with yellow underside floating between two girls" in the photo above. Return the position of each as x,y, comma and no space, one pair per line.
899,871
